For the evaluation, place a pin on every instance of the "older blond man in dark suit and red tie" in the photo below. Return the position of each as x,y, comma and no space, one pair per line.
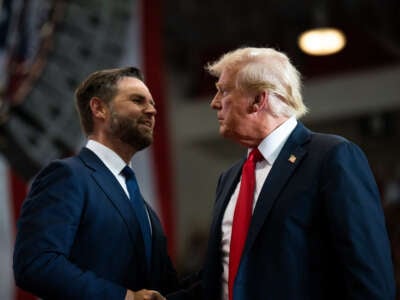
300,217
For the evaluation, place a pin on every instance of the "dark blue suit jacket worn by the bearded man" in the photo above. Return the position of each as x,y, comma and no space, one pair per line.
78,236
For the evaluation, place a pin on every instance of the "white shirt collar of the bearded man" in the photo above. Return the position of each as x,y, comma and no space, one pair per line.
111,159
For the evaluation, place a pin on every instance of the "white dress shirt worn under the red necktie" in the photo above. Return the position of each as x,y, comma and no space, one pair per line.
270,148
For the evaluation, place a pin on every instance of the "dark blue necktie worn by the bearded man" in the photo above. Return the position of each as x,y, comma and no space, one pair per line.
140,210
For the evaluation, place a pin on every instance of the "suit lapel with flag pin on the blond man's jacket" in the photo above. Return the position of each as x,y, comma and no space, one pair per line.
286,163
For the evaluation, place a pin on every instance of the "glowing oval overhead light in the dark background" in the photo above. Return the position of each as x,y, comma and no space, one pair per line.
322,41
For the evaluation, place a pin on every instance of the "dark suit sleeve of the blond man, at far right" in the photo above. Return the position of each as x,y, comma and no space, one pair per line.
356,224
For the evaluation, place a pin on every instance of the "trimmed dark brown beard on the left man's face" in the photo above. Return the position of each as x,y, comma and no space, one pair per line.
128,131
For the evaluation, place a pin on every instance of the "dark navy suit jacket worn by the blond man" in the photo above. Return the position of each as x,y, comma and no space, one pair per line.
317,232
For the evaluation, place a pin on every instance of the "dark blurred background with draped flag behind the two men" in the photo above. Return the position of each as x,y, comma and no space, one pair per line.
48,46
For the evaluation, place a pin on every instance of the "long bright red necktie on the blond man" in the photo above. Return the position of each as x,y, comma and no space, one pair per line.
242,216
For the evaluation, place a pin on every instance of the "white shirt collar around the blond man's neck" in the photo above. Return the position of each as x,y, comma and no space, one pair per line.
271,145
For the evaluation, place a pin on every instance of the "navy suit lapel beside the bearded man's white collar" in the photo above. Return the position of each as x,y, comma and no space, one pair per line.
112,188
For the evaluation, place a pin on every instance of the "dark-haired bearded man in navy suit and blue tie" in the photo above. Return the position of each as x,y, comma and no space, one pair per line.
85,231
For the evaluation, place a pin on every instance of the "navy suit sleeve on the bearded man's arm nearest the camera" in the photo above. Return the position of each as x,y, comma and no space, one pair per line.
47,226
